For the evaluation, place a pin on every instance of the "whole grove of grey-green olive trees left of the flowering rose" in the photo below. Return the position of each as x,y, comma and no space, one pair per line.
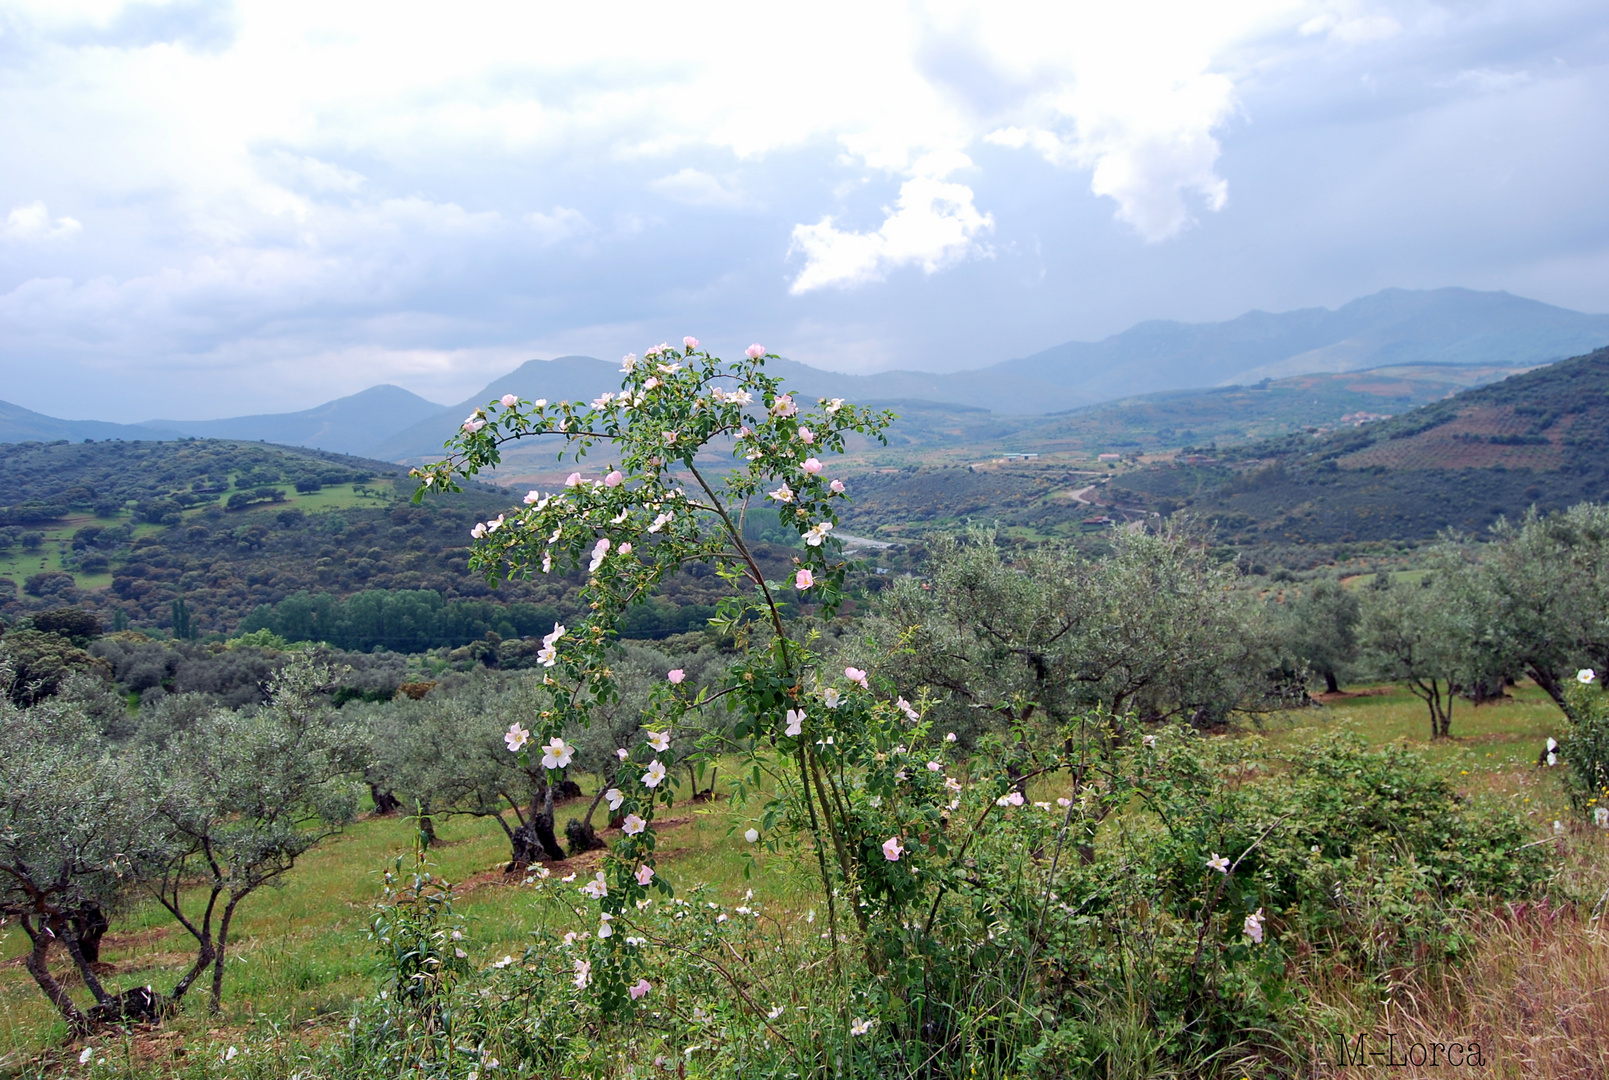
194,806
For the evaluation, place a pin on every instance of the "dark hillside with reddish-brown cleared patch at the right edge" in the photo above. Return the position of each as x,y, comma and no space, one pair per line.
1541,439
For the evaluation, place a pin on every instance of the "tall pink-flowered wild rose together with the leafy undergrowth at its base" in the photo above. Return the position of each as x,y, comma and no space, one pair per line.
1166,889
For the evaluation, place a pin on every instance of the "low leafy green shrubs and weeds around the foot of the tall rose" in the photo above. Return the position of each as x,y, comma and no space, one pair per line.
1082,941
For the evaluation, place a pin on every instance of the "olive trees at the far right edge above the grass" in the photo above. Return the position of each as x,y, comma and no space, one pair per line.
1531,603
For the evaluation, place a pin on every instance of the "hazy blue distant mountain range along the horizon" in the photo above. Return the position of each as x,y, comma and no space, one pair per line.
1394,328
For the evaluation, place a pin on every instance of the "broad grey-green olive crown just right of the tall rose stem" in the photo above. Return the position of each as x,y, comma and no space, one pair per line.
1154,630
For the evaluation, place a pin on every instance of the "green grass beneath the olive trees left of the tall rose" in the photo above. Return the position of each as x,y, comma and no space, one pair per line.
300,952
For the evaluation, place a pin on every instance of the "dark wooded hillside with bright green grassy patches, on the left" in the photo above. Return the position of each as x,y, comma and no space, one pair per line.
257,537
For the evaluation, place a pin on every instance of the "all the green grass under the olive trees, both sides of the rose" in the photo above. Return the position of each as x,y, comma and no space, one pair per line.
300,958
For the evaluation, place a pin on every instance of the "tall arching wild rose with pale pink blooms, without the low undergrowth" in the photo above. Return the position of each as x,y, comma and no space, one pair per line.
691,447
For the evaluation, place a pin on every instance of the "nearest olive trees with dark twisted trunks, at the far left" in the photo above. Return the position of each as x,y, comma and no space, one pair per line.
194,814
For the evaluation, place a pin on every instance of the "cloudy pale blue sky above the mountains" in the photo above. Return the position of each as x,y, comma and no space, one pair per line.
213,208
